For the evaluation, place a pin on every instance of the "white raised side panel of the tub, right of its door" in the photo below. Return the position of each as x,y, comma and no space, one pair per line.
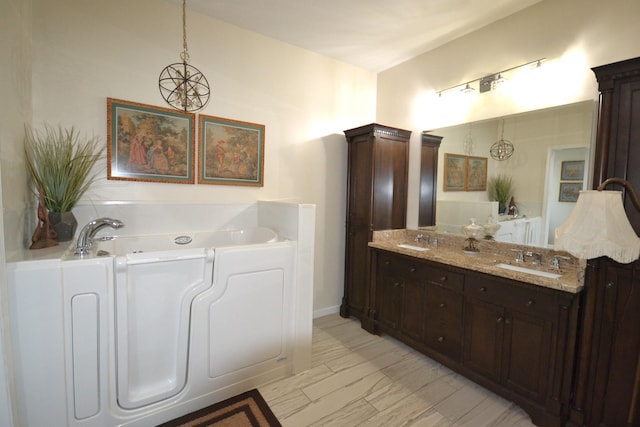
245,319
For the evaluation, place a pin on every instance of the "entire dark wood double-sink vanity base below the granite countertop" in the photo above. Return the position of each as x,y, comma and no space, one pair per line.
514,338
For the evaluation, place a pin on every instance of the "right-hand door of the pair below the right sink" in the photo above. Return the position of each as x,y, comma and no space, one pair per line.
527,345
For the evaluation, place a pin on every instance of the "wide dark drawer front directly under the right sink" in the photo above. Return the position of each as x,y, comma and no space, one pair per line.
512,295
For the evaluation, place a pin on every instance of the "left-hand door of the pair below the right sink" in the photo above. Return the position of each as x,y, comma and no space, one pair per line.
483,332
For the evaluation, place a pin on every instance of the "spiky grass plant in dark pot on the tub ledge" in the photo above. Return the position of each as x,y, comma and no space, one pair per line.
60,165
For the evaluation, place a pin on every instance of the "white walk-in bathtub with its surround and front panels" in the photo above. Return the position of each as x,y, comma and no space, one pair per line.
151,332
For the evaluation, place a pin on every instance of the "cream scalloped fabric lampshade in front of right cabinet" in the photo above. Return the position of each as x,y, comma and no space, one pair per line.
598,226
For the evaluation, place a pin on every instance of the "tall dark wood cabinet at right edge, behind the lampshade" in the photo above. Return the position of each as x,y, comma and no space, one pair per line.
607,386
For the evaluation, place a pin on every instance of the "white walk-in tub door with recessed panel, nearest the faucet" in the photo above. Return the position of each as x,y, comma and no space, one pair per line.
153,309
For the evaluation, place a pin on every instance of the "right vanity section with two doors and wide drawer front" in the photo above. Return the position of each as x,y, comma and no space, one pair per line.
516,334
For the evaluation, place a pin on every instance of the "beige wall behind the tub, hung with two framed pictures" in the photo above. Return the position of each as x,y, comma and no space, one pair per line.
86,51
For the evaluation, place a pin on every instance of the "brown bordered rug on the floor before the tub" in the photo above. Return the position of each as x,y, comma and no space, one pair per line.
248,409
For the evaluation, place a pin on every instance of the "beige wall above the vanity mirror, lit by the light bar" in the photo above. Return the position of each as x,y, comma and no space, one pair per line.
574,35
